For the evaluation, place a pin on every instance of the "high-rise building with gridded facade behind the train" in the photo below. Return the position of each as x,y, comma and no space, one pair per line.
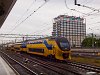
71,27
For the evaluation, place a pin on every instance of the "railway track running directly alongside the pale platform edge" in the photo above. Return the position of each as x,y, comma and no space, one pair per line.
17,65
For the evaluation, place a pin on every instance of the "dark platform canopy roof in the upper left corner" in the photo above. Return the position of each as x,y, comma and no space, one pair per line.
5,8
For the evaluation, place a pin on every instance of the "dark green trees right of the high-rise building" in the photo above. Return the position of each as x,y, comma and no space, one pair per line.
89,42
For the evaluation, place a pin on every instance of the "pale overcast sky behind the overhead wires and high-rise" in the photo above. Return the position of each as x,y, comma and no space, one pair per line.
41,22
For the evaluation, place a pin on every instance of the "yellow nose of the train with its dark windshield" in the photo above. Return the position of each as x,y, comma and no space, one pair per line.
64,49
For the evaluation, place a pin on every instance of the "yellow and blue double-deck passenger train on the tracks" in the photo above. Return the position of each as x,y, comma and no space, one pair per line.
53,47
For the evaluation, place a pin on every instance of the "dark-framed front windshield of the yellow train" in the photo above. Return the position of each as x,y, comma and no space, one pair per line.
63,44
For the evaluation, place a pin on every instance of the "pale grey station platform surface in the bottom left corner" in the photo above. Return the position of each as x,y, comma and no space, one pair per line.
5,69
